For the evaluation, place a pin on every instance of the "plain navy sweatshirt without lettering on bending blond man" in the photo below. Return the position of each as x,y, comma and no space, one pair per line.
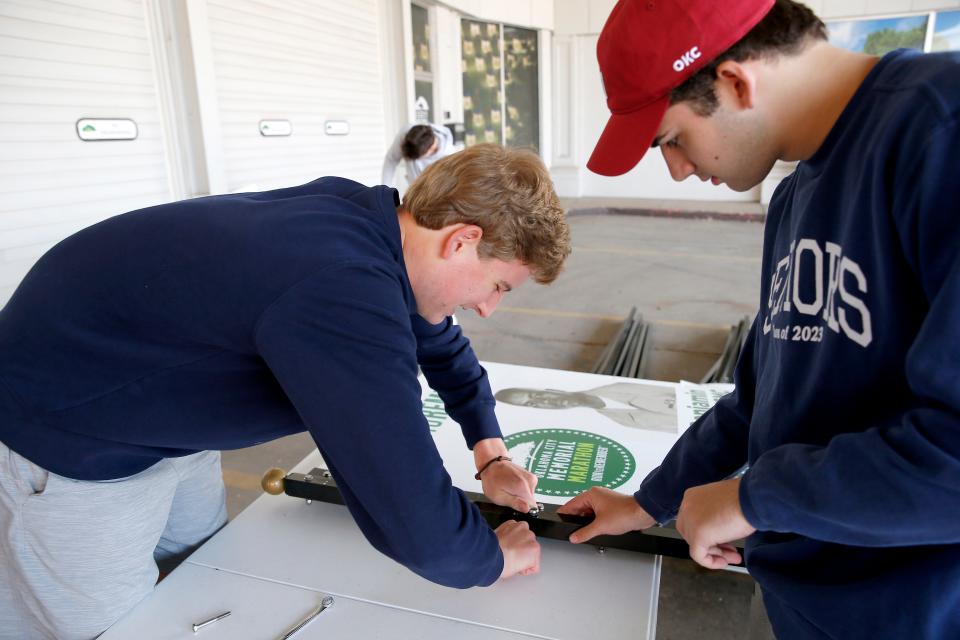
227,321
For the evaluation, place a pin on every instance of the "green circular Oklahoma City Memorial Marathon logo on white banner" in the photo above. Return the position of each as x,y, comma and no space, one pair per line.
567,462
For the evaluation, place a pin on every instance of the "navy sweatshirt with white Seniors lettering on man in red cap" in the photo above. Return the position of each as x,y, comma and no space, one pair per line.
847,400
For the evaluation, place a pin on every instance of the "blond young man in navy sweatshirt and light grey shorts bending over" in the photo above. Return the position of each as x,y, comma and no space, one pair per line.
137,348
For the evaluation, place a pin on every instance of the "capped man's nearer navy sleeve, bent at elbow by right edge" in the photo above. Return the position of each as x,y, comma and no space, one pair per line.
897,483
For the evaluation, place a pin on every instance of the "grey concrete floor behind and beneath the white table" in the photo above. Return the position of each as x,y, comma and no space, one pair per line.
690,278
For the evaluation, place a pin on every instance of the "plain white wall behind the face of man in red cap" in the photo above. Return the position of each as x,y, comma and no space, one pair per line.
580,111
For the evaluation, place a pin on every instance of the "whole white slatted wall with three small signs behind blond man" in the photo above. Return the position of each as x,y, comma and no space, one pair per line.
197,76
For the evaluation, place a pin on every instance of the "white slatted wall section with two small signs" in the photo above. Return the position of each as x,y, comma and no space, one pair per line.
307,63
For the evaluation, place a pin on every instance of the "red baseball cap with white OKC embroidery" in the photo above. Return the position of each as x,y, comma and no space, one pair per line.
648,48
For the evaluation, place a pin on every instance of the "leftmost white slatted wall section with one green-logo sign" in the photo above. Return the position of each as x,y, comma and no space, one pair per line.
59,62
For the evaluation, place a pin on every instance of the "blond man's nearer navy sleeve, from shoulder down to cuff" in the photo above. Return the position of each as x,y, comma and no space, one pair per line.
341,346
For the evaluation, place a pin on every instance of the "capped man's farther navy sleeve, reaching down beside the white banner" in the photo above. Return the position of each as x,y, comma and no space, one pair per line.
712,448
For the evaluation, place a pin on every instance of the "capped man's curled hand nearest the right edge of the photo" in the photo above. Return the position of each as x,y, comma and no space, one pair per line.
710,519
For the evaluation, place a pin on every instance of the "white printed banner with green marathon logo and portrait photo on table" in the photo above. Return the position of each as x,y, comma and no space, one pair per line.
575,430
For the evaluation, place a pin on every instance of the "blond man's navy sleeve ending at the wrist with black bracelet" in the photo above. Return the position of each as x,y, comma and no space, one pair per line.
452,370
